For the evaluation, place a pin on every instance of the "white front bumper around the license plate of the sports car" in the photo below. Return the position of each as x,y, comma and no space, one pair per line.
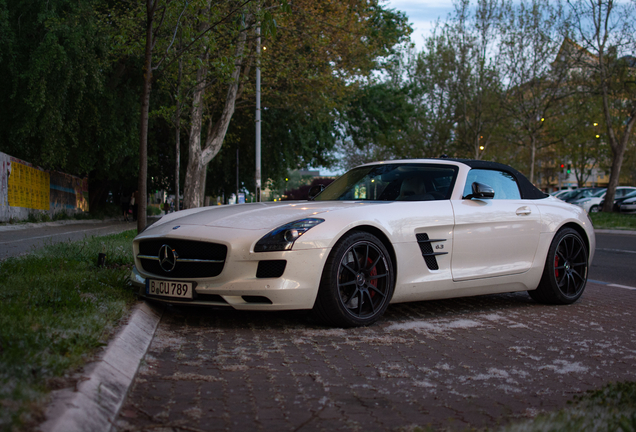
237,286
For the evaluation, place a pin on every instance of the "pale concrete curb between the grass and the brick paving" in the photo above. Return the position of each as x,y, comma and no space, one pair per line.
101,391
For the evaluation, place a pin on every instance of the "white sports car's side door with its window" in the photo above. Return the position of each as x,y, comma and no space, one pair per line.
494,237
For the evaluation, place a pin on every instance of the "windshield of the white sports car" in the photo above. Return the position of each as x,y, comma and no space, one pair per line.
393,182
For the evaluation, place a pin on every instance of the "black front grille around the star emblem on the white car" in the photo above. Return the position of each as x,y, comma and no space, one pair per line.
186,250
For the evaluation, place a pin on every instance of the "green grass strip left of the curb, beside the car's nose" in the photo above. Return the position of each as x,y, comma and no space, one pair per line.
56,308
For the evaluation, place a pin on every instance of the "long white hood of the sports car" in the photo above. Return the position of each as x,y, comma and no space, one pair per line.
257,216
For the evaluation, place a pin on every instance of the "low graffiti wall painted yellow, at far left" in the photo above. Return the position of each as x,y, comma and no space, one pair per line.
26,189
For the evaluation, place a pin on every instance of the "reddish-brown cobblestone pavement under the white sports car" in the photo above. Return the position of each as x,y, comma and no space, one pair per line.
450,365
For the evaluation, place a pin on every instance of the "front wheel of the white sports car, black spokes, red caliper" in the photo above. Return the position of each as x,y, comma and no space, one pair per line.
357,282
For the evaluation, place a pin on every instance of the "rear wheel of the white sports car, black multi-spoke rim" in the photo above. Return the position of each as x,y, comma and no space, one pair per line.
565,272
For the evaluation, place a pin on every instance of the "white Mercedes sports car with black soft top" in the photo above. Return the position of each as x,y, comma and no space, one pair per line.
385,232
